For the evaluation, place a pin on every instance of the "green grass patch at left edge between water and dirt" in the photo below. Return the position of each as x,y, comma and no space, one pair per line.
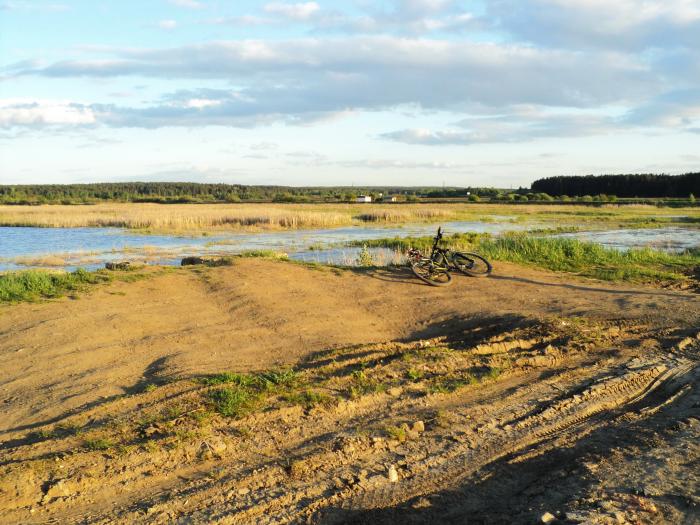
31,285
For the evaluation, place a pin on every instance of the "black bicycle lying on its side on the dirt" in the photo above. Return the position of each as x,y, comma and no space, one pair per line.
435,269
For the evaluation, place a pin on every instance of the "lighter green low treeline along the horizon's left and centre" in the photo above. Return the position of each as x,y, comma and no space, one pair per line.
190,192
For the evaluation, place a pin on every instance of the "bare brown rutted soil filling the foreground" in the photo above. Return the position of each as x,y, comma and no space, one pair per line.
524,397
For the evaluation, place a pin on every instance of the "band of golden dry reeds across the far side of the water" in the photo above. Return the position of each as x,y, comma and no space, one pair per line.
216,217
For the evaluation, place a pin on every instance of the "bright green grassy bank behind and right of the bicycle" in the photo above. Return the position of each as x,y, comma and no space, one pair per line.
568,255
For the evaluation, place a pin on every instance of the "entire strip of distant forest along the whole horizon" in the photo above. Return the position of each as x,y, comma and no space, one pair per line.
603,188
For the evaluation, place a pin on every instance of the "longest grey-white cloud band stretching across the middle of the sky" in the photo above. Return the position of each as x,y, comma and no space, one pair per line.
383,71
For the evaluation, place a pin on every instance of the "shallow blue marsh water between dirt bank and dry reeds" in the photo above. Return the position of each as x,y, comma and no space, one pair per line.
90,248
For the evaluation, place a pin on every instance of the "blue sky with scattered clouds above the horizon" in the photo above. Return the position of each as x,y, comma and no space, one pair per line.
347,92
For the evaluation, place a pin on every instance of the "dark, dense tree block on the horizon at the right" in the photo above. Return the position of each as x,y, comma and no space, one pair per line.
625,186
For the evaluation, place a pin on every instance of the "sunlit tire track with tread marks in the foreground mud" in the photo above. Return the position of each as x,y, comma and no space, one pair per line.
636,389
